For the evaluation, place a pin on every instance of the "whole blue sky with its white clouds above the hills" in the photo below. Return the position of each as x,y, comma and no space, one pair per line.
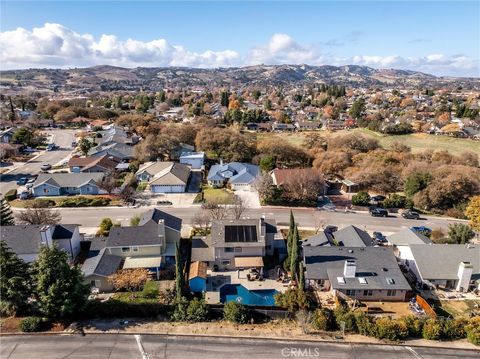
437,37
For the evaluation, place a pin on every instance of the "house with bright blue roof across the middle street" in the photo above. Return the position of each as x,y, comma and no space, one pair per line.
239,176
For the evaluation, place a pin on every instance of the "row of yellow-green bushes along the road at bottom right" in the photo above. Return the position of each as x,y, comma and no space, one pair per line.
398,329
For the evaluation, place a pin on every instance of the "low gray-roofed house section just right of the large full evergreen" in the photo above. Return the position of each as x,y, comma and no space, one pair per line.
97,269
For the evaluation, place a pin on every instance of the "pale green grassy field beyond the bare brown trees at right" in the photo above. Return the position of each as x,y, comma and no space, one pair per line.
417,141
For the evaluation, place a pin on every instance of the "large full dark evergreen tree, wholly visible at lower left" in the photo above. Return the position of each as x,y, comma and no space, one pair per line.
59,288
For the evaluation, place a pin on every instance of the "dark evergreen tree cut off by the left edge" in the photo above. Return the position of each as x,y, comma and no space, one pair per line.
14,281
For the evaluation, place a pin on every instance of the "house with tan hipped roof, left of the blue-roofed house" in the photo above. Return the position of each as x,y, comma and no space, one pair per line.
164,177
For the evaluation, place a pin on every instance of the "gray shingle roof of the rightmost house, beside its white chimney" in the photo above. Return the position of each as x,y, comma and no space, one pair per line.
441,261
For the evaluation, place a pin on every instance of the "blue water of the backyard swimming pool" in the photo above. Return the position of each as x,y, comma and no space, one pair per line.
240,294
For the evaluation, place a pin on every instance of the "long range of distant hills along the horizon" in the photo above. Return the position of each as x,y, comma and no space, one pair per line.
110,78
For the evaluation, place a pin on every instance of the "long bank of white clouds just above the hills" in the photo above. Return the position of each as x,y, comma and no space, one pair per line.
54,45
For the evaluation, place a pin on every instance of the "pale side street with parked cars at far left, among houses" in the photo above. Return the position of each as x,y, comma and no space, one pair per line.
62,138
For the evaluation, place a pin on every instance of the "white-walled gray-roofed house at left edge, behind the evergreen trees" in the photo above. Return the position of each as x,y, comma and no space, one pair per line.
26,240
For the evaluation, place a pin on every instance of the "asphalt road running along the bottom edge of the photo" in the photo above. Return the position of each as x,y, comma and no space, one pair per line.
169,346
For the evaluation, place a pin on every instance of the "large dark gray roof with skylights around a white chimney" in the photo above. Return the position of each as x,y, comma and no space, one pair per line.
376,264
